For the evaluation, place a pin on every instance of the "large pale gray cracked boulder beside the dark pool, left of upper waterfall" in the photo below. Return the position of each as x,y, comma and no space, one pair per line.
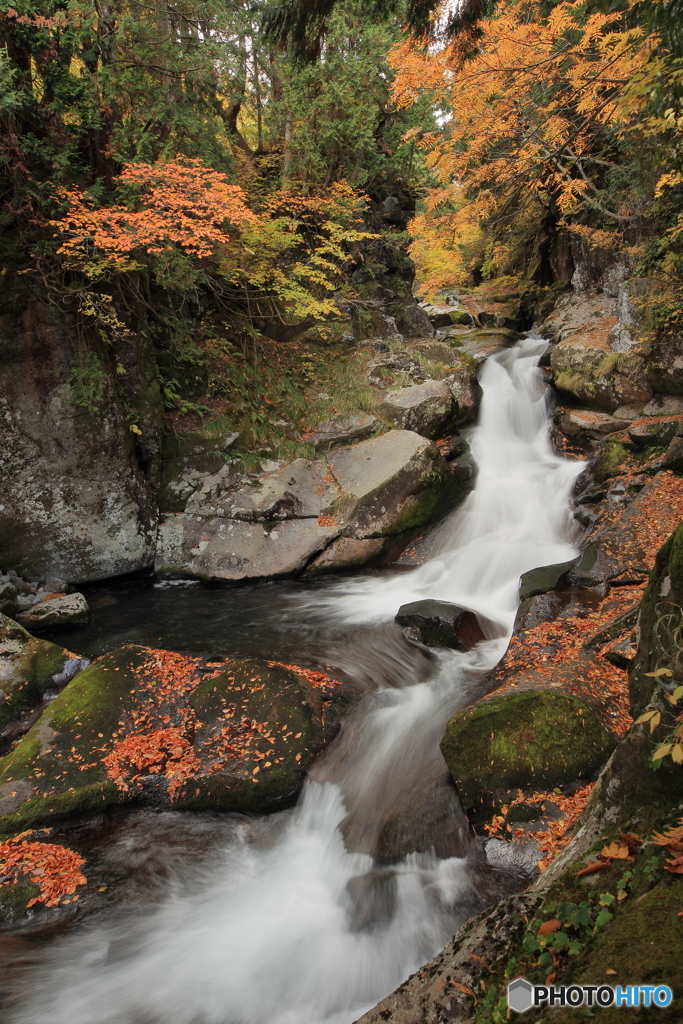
277,527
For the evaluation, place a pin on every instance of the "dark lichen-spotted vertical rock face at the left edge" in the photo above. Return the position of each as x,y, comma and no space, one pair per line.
73,497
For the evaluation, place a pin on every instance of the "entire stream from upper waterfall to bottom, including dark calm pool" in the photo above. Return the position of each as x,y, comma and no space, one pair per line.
312,916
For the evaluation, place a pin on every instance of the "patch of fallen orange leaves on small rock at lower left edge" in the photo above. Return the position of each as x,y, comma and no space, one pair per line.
57,870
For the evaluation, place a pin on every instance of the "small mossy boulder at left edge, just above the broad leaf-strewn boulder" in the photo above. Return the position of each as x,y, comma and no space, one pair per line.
29,669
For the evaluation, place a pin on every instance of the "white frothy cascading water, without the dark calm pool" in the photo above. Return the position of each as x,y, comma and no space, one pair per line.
271,935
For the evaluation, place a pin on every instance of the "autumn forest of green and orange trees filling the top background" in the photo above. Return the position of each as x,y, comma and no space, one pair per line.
206,181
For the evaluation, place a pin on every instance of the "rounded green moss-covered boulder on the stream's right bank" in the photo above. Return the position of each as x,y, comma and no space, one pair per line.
535,740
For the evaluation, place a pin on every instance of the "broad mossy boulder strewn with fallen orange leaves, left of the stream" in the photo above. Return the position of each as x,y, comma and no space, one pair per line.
158,728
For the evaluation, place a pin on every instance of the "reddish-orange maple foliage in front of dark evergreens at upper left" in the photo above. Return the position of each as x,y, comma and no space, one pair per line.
179,203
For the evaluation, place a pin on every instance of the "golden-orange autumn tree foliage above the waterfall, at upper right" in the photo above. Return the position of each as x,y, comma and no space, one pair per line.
532,123
